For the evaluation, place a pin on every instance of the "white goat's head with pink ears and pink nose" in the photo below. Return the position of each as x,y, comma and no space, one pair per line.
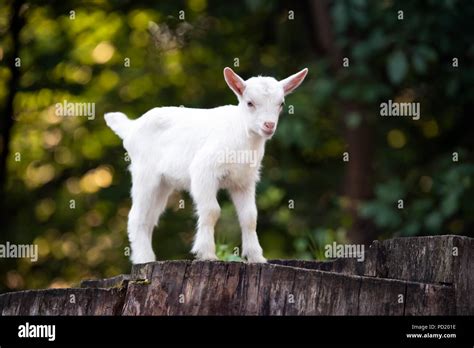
261,99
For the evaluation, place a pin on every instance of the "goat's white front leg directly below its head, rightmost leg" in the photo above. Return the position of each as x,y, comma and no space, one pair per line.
244,201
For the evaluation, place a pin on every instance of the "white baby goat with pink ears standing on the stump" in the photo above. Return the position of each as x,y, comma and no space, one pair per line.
175,148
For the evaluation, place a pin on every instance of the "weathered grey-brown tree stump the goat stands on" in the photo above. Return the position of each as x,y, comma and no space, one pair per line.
402,276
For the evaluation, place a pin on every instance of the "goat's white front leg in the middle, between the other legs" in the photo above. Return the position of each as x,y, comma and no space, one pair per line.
204,192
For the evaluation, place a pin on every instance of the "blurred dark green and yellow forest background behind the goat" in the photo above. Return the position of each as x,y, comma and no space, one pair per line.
64,183
